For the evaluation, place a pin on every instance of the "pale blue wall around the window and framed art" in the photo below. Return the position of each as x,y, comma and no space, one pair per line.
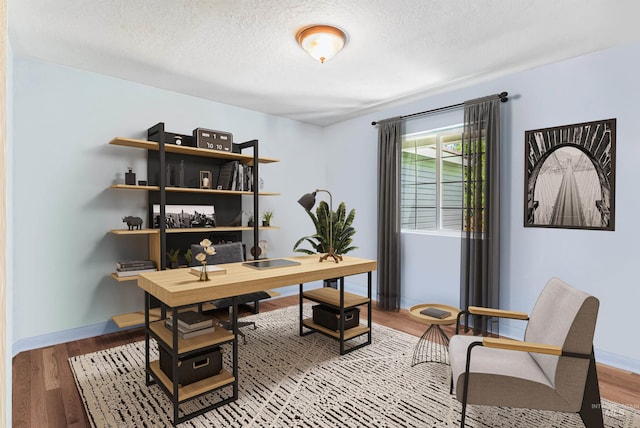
602,85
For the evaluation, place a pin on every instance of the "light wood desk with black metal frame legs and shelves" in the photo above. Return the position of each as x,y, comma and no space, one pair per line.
179,288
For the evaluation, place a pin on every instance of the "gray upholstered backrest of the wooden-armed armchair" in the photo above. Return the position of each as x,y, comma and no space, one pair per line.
565,317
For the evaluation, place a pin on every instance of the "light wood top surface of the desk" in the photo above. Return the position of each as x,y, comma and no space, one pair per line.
178,287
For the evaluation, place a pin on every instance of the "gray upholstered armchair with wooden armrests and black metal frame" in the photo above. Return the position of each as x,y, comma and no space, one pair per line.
552,369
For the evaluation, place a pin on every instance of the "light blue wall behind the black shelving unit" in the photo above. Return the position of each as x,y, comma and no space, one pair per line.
62,206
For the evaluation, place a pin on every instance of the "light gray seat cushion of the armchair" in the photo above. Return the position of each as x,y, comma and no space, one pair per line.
501,377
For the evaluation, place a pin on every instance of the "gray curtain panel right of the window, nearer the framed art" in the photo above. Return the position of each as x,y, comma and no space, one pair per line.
480,255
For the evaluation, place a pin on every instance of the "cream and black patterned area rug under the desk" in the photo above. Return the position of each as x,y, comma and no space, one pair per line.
290,381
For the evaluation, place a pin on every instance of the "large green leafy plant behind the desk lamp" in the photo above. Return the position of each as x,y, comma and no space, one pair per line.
342,231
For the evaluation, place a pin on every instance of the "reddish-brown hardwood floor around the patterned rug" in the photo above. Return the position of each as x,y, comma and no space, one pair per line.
45,394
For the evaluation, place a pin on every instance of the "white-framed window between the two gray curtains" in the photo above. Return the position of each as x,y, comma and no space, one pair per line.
431,182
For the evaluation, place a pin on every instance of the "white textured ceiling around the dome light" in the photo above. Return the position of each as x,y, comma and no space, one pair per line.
244,52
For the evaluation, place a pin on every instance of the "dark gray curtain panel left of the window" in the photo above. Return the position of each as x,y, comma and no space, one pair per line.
389,156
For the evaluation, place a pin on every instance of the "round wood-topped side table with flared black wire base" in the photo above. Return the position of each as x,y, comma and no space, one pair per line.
433,346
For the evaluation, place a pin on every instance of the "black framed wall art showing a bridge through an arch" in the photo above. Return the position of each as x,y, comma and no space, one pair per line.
570,176
